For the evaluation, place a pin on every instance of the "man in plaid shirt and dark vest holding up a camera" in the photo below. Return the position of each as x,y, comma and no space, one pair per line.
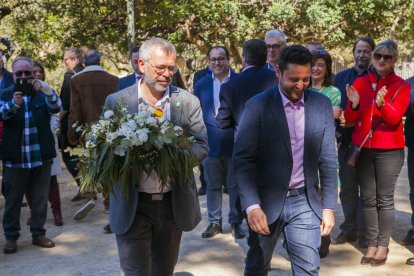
28,151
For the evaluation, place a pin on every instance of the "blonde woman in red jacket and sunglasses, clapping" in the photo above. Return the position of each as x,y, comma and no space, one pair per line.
377,103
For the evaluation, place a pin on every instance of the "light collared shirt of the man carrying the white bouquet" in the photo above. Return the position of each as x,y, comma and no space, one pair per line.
151,184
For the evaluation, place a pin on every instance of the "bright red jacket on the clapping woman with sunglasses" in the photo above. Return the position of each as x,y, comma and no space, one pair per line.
389,133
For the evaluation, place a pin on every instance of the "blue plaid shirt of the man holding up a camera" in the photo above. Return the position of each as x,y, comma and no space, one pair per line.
30,149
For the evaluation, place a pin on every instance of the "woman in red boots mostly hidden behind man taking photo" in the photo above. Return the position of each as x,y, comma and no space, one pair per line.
54,195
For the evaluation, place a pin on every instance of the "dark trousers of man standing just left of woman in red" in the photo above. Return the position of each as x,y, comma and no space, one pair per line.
350,198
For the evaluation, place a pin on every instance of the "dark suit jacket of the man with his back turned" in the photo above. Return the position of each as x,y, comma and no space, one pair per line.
235,93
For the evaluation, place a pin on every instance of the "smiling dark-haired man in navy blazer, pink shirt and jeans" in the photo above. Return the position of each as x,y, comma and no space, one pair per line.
284,145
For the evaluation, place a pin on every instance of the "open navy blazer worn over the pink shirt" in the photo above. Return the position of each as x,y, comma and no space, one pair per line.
262,156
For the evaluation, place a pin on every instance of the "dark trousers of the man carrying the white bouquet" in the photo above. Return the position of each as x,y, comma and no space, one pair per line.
151,245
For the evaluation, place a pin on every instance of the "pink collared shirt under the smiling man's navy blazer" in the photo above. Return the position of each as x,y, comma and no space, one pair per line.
295,115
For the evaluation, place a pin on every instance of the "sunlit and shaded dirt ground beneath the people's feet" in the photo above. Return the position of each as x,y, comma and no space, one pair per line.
83,249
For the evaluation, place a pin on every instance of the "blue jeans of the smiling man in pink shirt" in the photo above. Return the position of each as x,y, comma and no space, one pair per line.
301,228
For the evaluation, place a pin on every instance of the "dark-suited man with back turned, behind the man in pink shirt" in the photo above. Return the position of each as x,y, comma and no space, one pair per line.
253,80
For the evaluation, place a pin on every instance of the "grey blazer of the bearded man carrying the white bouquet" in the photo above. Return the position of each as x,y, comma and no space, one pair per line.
185,112
